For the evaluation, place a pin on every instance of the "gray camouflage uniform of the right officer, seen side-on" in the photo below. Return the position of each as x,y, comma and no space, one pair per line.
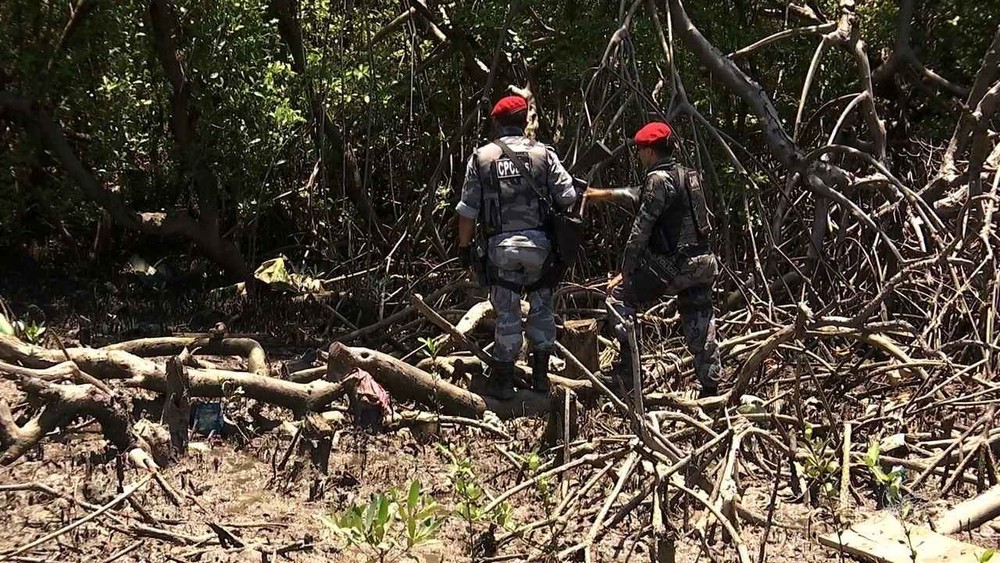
687,269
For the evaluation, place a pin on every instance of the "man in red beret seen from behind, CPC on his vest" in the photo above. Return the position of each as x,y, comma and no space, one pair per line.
513,219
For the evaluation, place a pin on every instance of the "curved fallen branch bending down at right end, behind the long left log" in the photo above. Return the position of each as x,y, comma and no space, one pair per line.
247,348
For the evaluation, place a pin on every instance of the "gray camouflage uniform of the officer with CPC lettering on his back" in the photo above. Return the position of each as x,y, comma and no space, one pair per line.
510,213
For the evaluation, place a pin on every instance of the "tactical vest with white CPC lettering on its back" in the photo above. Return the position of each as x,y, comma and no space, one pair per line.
509,202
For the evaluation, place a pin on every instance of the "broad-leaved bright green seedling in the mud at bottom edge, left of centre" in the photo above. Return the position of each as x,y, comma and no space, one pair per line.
389,527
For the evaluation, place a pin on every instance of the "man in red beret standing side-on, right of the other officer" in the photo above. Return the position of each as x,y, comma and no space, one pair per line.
668,253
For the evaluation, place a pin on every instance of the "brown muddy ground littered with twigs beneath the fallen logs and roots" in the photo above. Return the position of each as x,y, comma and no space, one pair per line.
237,483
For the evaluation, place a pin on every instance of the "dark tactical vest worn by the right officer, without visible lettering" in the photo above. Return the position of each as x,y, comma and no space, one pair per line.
684,225
